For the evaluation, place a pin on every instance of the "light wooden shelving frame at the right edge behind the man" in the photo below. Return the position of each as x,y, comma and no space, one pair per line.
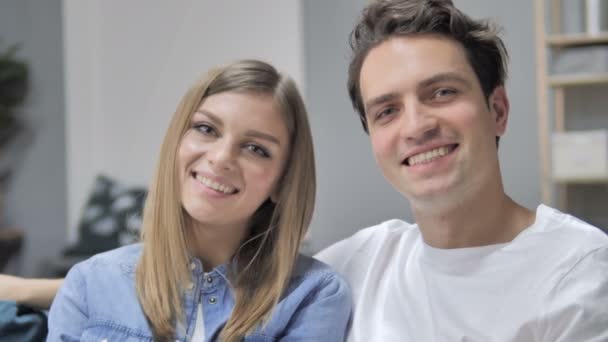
552,90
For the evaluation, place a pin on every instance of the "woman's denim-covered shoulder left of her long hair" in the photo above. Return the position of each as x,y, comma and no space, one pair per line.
98,300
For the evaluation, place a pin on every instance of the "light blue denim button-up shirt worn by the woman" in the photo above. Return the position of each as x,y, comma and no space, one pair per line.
98,302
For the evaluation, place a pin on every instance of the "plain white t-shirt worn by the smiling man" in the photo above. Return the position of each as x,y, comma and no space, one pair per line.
549,284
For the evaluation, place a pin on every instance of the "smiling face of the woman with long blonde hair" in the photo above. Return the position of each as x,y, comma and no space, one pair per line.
231,157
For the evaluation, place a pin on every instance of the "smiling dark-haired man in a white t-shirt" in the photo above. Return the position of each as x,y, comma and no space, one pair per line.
428,84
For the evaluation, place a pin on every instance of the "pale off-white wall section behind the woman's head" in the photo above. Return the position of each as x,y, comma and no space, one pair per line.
129,62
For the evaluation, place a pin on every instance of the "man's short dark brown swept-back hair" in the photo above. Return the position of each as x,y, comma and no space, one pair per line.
385,19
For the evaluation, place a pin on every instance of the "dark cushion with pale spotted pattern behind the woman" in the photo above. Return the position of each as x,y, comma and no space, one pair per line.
110,219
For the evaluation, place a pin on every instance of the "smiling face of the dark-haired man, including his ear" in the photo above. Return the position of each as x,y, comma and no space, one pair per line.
432,131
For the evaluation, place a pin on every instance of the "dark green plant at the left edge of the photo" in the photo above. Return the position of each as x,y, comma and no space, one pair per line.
13,90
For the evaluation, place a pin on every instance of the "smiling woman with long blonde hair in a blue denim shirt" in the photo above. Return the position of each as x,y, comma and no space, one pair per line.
231,200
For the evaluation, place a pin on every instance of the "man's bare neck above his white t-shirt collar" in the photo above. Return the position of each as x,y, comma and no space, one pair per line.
483,220
